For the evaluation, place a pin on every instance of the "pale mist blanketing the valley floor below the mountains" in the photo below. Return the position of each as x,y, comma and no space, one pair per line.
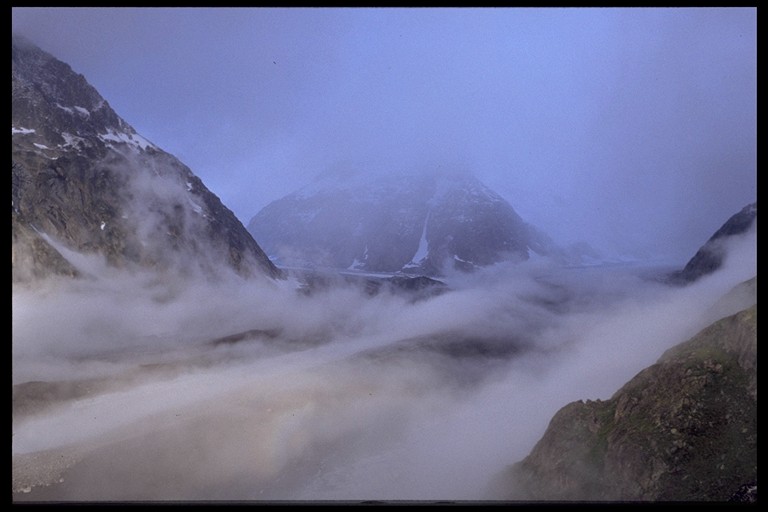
124,393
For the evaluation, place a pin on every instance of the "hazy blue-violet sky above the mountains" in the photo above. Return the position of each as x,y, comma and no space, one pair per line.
632,129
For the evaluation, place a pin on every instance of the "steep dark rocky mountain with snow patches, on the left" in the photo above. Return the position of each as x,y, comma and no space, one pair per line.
86,184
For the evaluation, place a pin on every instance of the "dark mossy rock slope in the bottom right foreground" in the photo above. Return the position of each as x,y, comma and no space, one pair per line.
684,429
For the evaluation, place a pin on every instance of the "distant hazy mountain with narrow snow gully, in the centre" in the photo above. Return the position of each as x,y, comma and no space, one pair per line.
414,223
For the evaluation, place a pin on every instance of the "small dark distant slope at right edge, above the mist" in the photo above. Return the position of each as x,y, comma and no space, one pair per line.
711,255
